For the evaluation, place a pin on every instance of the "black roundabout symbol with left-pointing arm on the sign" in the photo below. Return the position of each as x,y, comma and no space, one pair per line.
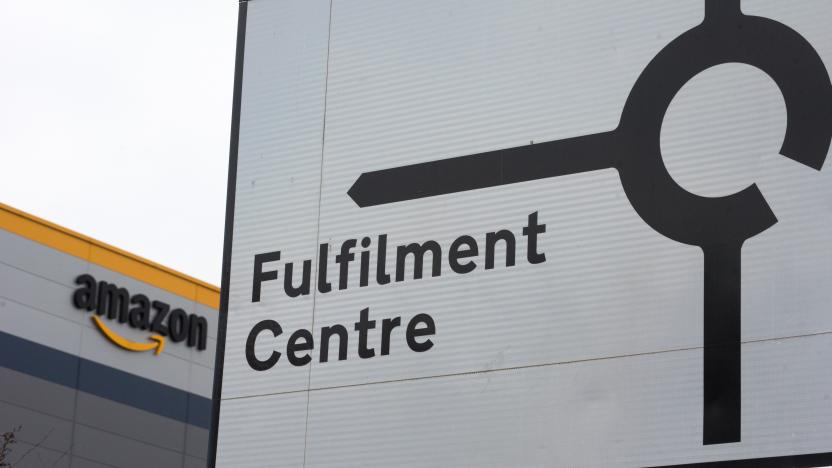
718,225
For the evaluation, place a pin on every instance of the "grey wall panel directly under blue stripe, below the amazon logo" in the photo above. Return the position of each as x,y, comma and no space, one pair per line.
129,422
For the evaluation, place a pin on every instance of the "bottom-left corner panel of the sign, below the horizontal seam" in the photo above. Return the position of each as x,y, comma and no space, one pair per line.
262,431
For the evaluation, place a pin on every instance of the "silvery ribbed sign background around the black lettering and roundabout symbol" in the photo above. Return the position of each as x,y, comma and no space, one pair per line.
591,358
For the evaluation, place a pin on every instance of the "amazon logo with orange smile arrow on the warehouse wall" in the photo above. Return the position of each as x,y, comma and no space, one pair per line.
117,305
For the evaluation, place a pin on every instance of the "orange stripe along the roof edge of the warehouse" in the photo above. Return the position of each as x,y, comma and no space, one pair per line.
107,256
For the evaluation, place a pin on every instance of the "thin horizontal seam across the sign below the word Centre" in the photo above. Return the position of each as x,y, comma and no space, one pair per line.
529,366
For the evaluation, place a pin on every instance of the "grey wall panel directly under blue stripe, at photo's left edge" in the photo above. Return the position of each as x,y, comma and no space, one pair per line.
37,394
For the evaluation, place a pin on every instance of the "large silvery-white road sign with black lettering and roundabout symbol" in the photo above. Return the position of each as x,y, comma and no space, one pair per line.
528,233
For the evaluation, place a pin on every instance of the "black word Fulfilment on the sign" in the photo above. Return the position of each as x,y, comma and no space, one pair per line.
461,257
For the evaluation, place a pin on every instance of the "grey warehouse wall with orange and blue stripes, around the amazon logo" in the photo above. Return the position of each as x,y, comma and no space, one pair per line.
80,400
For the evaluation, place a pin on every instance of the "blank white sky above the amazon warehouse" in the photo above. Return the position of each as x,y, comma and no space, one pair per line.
115,118
